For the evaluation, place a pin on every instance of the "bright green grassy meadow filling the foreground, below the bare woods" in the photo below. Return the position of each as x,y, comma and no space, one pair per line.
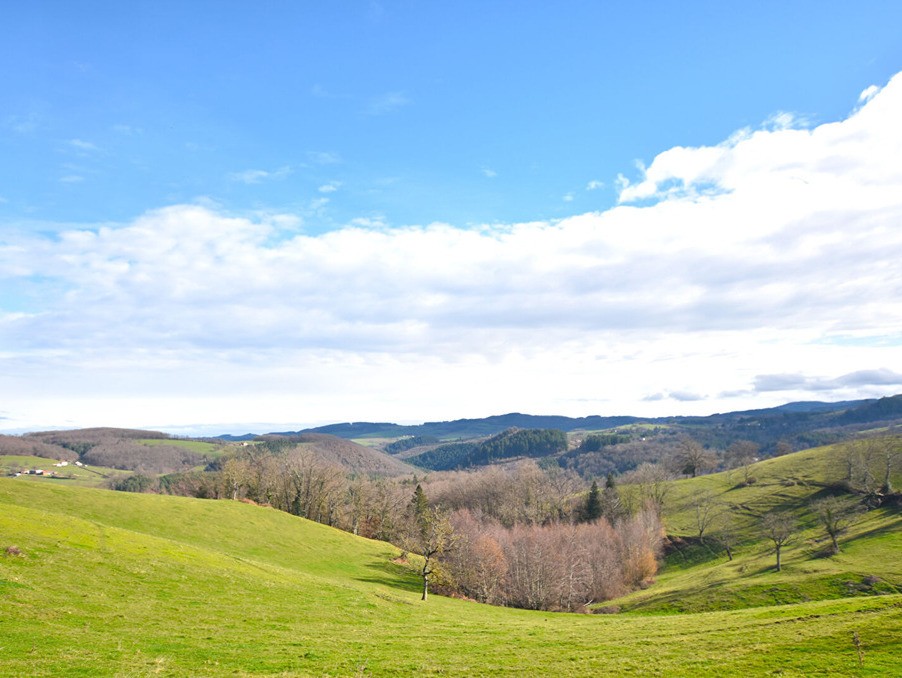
114,583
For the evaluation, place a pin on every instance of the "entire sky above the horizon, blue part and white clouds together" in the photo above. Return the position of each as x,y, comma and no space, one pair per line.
231,217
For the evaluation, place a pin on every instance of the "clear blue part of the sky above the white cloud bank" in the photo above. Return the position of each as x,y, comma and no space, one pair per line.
414,112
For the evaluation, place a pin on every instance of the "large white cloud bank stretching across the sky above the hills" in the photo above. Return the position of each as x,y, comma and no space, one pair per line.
758,267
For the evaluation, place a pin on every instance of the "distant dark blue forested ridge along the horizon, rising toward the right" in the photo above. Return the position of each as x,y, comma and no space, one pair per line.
802,423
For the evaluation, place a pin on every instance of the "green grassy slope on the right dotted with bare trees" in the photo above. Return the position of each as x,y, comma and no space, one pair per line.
699,577
